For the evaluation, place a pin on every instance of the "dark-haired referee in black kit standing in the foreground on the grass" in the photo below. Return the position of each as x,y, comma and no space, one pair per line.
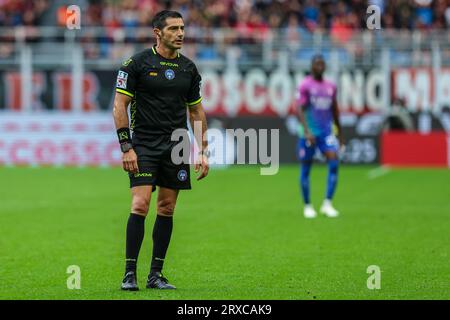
160,85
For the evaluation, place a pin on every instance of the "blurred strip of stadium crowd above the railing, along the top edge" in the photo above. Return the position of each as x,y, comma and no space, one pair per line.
240,14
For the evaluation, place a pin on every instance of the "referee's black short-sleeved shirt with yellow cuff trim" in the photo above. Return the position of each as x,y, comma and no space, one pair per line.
161,89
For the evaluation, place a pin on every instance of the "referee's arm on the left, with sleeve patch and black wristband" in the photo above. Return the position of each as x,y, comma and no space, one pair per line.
125,90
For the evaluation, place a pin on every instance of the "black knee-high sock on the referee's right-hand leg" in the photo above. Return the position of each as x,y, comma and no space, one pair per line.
161,238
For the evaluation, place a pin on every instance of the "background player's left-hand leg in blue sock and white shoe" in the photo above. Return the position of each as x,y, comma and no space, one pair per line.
306,155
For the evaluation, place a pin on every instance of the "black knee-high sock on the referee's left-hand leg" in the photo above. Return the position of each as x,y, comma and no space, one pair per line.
135,235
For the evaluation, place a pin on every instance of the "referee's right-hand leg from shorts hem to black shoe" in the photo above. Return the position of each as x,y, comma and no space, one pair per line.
162,232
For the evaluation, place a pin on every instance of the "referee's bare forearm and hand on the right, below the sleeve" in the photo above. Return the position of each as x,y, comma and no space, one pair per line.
197,118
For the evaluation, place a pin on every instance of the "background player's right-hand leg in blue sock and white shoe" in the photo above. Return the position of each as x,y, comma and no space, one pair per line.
329,147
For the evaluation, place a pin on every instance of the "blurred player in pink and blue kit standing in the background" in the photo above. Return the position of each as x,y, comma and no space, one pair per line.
317,109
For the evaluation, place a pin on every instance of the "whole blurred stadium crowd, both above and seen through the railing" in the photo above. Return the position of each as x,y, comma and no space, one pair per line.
240,22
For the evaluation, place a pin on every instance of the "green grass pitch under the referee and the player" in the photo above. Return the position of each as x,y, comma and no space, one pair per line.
237,235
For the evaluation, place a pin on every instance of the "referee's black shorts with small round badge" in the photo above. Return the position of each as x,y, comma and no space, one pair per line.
156,168
